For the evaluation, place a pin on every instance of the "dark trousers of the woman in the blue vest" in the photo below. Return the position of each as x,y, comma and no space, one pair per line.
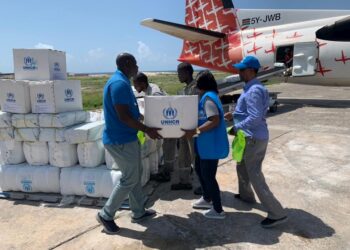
206,171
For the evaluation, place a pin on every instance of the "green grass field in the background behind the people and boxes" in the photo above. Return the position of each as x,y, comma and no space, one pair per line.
92,87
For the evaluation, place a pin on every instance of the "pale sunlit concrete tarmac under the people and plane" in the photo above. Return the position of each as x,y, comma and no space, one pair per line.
307,167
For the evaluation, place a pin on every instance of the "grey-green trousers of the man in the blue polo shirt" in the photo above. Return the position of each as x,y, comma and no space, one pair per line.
128,158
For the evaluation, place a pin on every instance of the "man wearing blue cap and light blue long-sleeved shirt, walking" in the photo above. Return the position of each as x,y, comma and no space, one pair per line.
249,116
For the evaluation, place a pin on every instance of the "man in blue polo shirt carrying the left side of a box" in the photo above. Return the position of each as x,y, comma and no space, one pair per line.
120,139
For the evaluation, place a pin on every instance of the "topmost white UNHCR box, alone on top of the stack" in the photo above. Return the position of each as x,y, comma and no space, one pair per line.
39,64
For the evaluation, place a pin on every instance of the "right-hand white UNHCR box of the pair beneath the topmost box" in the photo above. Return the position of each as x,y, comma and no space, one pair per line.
56,96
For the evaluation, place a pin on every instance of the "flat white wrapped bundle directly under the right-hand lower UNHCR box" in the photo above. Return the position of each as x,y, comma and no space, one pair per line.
62,120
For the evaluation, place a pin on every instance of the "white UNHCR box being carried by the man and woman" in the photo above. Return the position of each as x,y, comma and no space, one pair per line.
171,114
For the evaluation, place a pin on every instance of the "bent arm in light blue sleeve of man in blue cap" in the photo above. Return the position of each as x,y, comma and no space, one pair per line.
255,109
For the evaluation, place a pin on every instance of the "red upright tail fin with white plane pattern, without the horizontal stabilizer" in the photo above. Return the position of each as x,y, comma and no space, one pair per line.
217,16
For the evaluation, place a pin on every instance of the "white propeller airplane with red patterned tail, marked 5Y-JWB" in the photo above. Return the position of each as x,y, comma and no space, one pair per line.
217,35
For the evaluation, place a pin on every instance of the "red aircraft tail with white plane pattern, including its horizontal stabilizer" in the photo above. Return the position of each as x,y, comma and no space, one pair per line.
211,34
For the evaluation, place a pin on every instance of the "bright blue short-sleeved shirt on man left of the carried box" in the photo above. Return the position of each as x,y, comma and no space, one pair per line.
118,91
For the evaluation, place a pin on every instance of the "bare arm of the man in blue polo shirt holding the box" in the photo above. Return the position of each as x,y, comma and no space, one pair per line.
124,116
